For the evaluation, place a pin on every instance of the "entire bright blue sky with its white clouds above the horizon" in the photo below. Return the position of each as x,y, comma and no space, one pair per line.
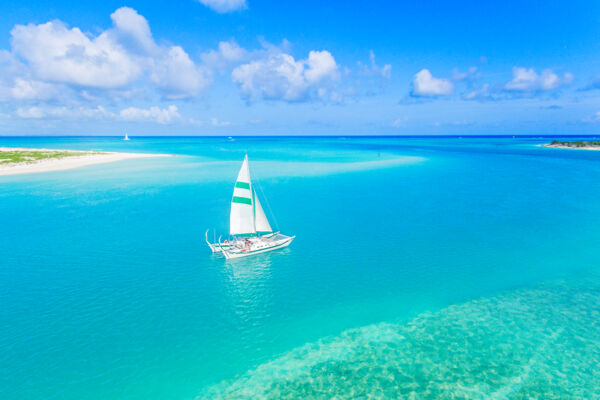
232,67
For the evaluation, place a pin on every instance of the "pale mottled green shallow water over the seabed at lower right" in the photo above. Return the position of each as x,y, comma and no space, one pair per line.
541,342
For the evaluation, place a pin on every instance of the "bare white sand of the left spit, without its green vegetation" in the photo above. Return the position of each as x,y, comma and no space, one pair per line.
71,162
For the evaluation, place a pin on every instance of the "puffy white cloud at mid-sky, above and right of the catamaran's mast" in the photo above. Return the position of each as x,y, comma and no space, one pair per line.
278,76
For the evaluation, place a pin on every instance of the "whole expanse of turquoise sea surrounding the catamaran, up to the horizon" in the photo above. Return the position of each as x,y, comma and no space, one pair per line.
422,268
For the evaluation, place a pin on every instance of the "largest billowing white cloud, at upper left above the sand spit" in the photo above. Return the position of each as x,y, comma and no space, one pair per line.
114,59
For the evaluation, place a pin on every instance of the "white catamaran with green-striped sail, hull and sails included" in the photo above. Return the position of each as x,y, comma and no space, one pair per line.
248,224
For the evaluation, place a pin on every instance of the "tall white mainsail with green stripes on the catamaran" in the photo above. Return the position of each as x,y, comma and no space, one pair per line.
241,219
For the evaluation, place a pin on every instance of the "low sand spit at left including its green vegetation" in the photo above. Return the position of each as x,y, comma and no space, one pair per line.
15,160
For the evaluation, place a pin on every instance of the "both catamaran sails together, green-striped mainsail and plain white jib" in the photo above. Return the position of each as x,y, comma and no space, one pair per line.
247,217
